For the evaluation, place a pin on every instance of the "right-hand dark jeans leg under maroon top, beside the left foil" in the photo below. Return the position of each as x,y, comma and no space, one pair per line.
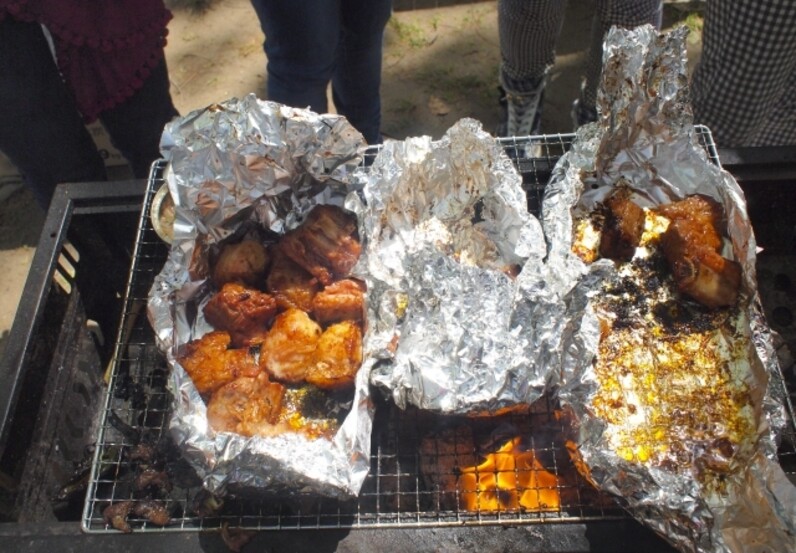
136,125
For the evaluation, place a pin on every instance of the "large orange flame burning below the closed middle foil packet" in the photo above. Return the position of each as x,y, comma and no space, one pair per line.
509,479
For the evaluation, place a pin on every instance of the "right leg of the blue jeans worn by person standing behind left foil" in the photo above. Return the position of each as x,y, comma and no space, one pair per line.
357,76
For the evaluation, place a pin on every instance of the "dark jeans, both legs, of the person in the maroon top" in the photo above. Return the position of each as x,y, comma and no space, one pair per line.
41,130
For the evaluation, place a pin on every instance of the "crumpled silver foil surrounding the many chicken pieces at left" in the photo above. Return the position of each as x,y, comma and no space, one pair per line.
242,162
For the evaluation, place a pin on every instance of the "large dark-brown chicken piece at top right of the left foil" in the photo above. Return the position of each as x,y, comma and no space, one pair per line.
326,244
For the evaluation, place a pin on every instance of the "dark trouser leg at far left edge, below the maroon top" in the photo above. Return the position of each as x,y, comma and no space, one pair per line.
41,130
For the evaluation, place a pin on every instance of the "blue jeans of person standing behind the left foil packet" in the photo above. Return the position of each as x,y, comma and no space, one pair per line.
310,43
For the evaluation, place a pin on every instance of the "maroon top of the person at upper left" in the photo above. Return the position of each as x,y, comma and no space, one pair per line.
104,49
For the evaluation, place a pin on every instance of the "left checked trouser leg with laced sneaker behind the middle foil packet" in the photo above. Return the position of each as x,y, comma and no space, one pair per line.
528,31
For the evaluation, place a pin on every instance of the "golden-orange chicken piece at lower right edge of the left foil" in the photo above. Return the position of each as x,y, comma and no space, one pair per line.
337,357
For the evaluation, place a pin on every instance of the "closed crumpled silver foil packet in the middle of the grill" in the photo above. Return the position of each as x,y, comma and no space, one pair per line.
463,319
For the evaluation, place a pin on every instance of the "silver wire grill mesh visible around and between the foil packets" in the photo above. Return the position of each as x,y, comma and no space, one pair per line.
425,468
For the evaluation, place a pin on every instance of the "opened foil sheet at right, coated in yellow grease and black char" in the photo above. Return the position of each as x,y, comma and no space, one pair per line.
684,433
